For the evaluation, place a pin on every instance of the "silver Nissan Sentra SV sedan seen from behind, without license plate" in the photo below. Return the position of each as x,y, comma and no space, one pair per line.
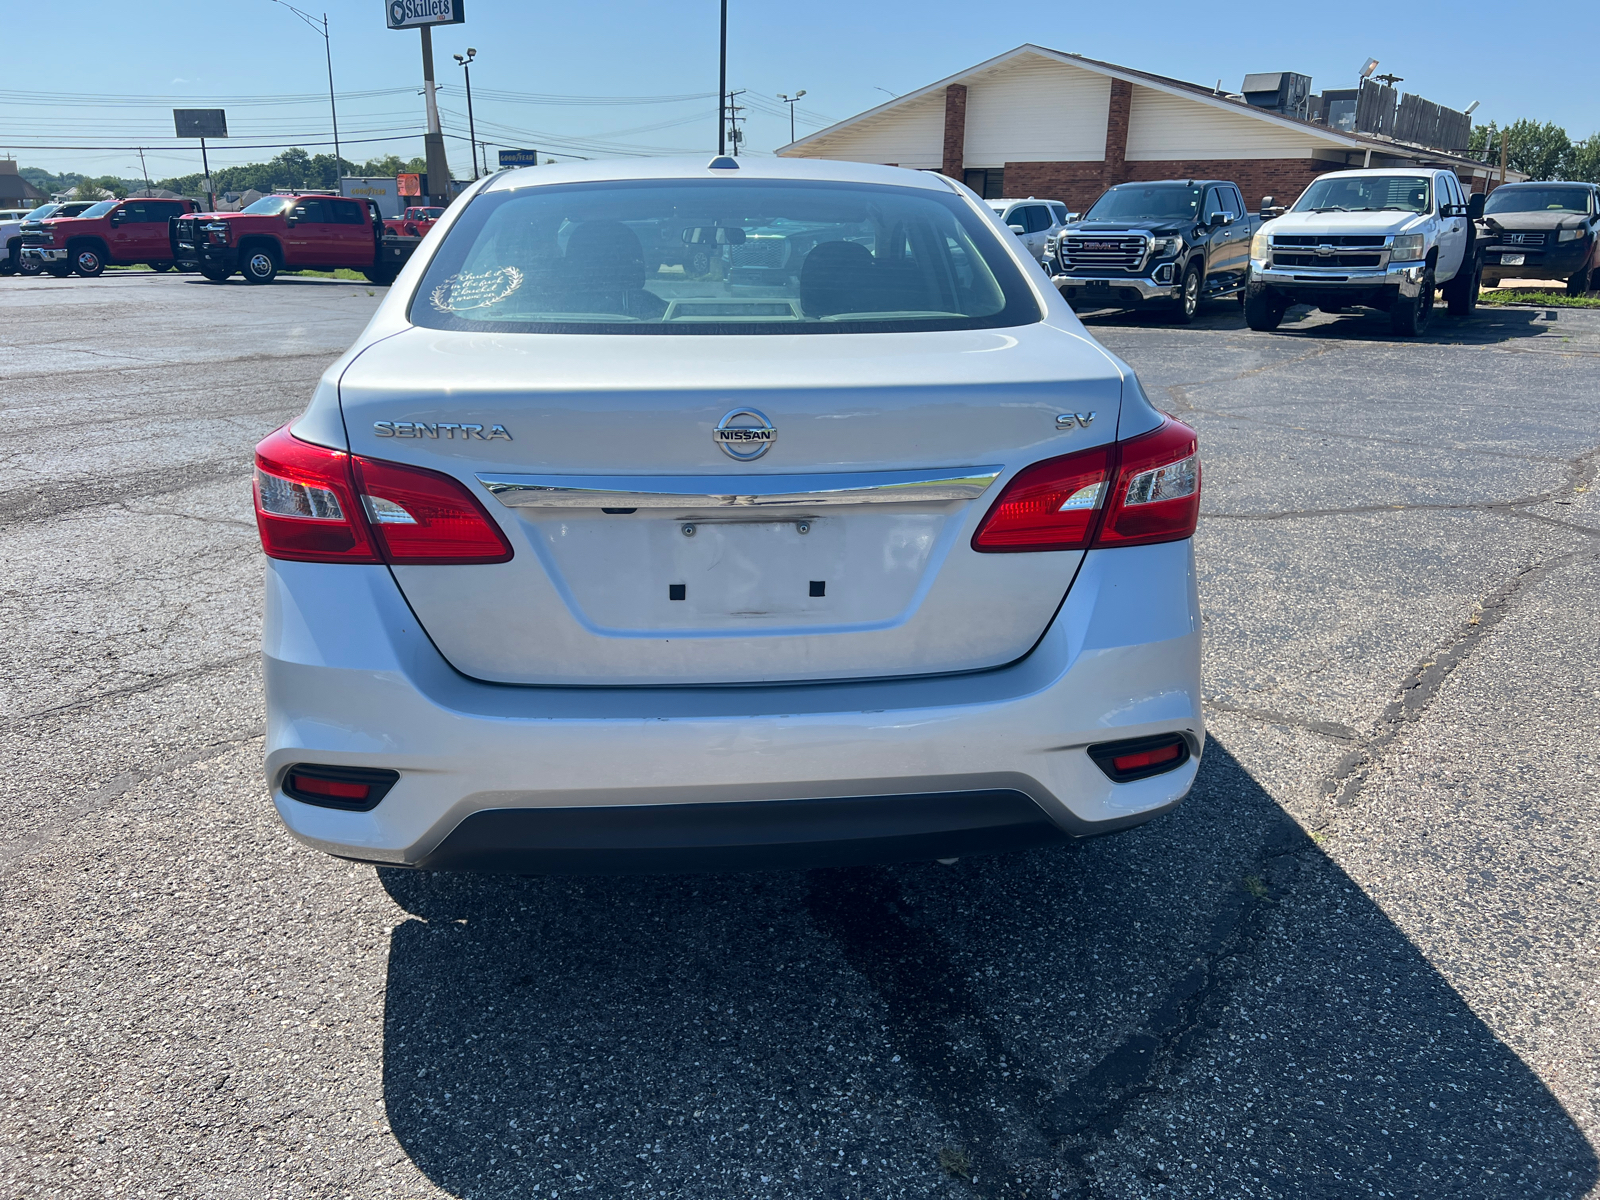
686,514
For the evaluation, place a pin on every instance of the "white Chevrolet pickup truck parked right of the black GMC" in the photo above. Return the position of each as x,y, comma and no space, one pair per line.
1383,239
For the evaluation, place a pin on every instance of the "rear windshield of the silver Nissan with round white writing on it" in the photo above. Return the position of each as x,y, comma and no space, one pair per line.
721,257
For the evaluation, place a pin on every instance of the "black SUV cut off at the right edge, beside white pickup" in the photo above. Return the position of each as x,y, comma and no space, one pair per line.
1543,231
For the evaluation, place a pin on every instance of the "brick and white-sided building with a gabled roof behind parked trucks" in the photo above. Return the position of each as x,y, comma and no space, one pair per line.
1041,122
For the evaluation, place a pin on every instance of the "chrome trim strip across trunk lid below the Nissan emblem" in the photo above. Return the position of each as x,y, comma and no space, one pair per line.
713,492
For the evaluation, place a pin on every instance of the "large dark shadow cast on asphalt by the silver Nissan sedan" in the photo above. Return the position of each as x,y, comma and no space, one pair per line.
1201,1007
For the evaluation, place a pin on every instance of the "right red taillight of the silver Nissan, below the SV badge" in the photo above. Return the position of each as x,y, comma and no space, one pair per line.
1065,505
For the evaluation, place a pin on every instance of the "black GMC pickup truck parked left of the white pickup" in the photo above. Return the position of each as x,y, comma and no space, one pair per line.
1170,244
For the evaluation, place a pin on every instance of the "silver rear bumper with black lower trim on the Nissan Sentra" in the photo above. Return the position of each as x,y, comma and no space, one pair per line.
513,778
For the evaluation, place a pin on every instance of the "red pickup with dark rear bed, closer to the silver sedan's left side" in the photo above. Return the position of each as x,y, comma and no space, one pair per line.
292,233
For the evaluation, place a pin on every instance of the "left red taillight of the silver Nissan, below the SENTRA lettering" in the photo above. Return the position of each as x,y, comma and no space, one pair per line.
319,505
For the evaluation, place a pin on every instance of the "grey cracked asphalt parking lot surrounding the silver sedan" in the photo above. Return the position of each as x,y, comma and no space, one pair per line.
1361,961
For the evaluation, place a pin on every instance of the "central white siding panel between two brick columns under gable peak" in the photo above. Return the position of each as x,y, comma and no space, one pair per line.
1036,110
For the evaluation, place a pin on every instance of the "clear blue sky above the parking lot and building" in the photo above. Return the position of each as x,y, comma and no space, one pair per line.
598,66
